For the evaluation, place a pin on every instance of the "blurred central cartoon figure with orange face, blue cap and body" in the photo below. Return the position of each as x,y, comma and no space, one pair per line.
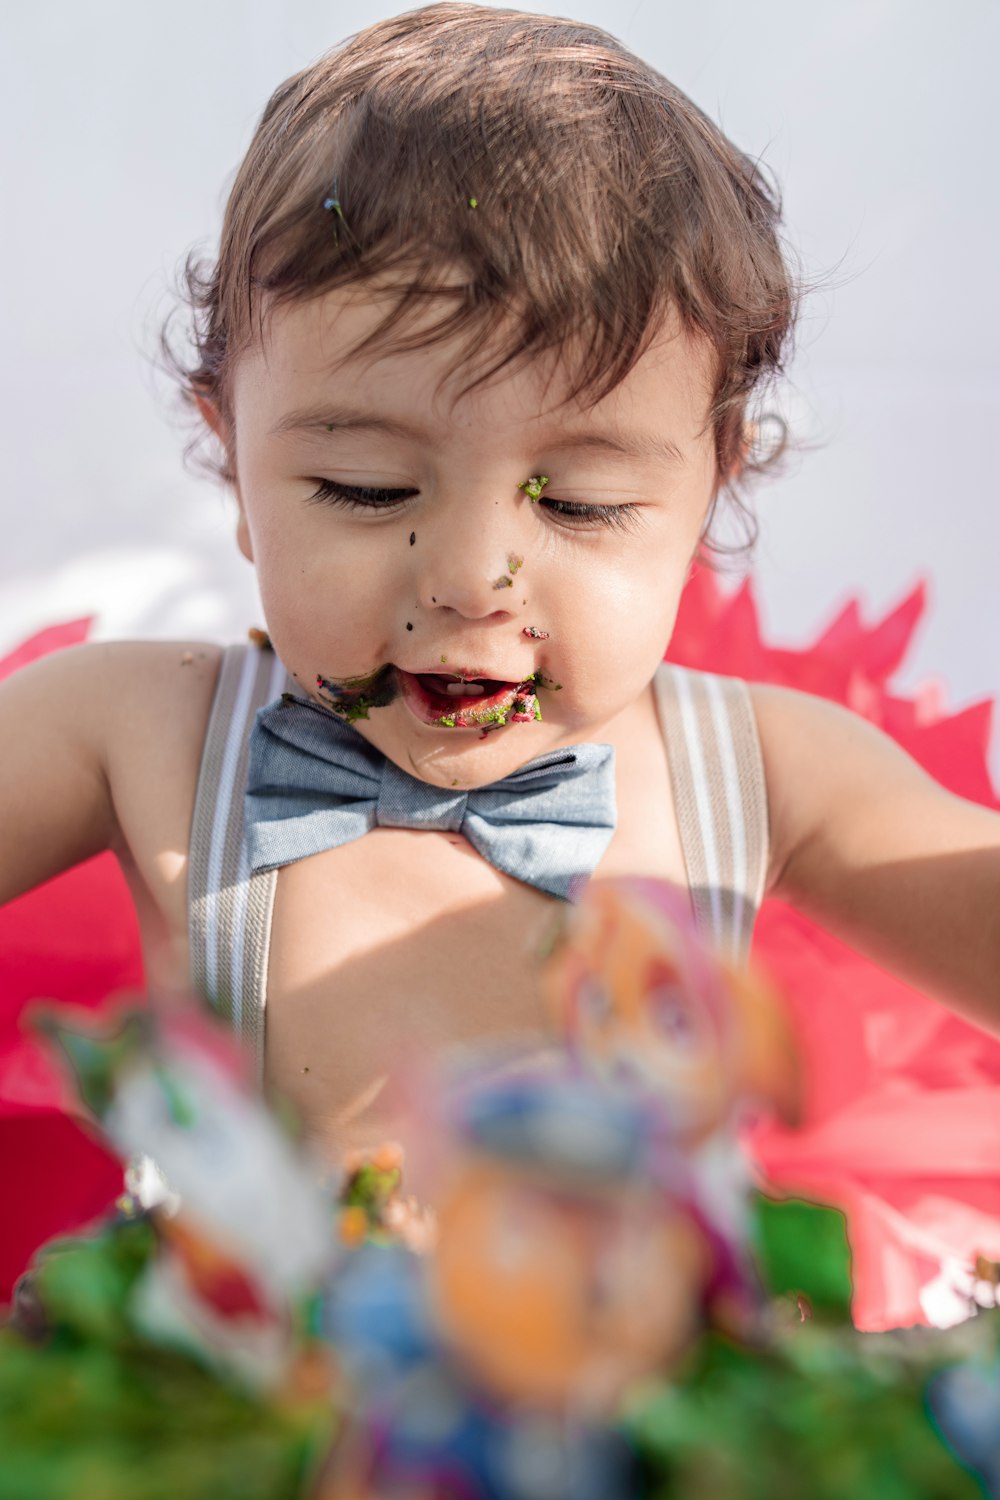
561,1271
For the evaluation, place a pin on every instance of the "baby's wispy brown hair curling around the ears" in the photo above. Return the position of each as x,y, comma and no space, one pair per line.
579,190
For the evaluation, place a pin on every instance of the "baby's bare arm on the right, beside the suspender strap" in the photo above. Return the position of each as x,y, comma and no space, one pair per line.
872,848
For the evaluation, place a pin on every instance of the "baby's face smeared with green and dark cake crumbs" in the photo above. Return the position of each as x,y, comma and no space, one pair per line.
401,554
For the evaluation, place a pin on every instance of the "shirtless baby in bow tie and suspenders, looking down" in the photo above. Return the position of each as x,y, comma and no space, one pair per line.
493,313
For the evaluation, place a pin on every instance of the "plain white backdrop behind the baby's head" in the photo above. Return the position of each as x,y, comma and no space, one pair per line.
124,125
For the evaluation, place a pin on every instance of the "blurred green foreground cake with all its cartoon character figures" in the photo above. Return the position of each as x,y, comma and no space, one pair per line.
593,1301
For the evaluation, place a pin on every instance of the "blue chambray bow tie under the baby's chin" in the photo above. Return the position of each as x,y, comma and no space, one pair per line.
316,784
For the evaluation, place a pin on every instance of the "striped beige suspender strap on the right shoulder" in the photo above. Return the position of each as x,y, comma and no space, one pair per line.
722,800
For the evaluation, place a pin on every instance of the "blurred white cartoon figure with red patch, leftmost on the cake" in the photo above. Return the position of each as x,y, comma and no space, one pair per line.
244,1226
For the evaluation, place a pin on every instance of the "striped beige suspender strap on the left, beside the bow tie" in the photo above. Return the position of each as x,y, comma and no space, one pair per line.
230,910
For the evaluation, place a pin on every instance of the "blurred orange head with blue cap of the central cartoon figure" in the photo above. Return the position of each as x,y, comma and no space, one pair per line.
570,1256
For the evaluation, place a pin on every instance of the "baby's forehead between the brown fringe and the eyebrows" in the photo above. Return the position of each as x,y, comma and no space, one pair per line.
314,349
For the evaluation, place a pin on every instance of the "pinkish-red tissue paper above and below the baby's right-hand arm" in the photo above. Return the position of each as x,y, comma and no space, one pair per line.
902,1106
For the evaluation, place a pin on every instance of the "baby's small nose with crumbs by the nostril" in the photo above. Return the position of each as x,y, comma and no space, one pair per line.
469,560
